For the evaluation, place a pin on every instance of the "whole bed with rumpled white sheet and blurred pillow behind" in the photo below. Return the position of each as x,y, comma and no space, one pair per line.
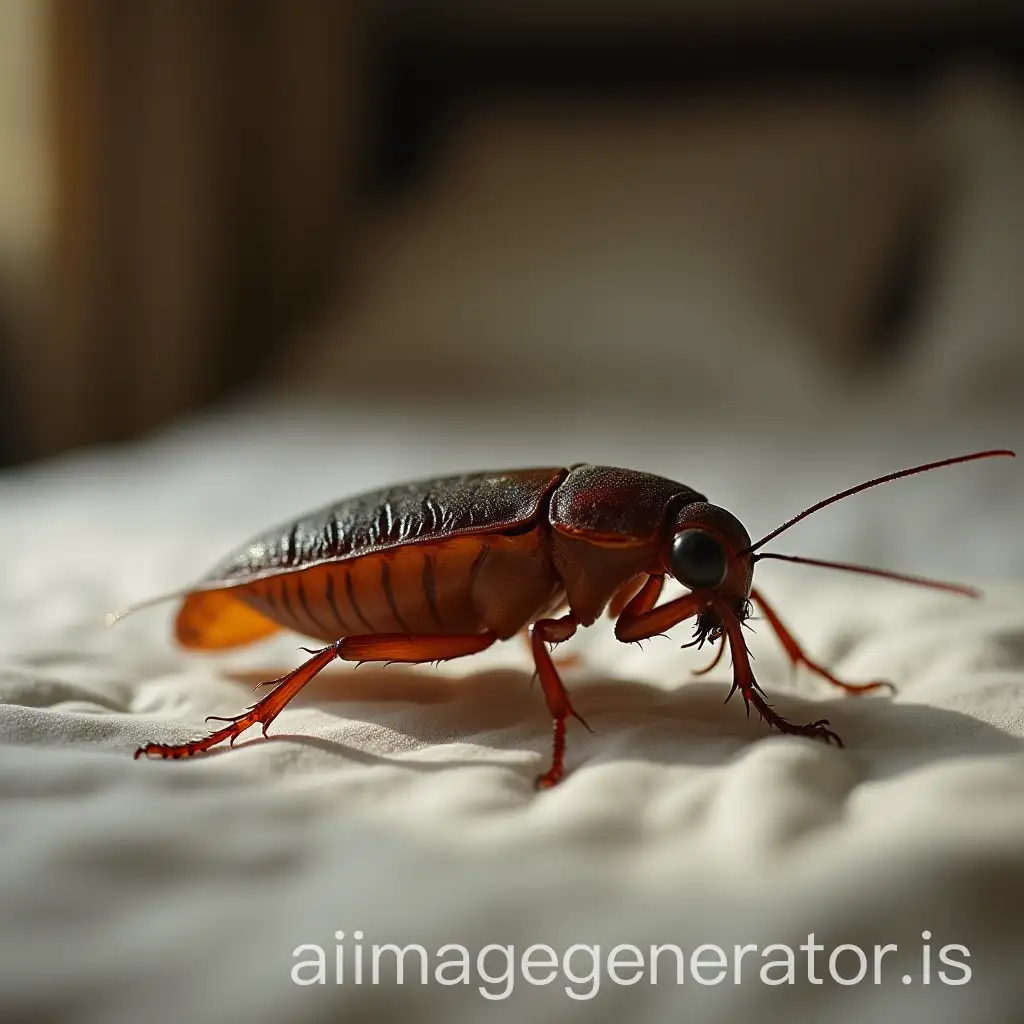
398,803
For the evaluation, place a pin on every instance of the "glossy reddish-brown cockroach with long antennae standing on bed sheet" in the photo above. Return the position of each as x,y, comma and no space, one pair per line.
438,570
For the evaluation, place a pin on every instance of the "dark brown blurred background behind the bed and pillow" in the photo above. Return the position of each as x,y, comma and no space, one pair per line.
204,176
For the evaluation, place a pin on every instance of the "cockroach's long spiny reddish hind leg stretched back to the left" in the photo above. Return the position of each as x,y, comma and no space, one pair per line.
412,649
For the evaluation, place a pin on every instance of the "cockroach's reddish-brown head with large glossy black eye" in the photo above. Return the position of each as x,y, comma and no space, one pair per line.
707,549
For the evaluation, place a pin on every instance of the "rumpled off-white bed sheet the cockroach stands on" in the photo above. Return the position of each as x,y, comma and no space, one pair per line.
399,802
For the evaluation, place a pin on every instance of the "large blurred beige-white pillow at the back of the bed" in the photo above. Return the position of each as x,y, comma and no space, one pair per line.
685,253
